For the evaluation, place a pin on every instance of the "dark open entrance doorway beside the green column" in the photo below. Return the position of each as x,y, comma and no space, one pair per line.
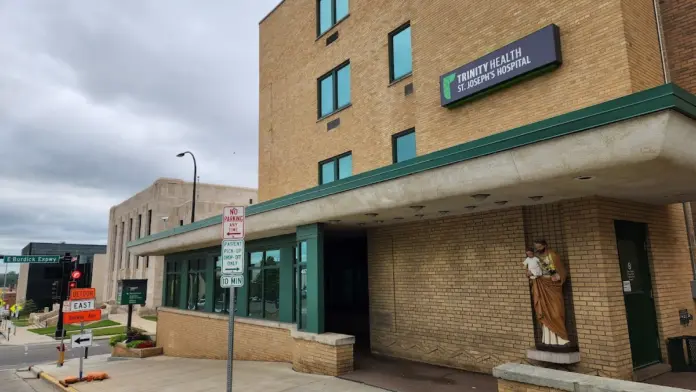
346,299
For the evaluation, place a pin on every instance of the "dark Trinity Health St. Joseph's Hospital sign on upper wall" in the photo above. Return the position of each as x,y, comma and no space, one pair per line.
535,53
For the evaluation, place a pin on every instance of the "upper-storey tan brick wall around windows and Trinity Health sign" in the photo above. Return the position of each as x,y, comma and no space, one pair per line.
445,35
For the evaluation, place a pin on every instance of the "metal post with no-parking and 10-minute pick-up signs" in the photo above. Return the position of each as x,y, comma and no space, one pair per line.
233,231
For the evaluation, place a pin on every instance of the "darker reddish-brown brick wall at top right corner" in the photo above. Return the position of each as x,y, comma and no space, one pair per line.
679,19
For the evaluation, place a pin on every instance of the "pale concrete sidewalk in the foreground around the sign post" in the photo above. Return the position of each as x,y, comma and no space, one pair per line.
192,375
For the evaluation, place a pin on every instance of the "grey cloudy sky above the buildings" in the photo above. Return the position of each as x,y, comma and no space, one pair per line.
97,98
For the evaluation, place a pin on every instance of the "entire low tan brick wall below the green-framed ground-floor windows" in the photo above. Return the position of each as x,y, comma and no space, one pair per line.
203,335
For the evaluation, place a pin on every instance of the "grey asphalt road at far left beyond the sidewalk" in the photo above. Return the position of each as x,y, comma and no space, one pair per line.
15,357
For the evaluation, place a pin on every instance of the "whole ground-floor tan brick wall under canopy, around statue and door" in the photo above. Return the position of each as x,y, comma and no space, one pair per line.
468,306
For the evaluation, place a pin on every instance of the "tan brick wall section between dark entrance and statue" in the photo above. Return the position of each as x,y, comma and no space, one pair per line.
451,291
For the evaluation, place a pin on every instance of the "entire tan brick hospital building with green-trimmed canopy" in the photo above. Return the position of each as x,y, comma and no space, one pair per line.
409,153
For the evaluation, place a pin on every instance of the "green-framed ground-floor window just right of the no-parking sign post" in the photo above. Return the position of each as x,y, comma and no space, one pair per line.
264,284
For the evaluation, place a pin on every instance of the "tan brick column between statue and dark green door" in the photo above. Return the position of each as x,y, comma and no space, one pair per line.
600,313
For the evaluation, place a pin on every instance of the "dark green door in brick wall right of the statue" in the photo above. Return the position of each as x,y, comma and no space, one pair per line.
631,242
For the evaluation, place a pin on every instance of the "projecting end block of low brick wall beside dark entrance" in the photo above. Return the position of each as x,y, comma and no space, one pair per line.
316,358
